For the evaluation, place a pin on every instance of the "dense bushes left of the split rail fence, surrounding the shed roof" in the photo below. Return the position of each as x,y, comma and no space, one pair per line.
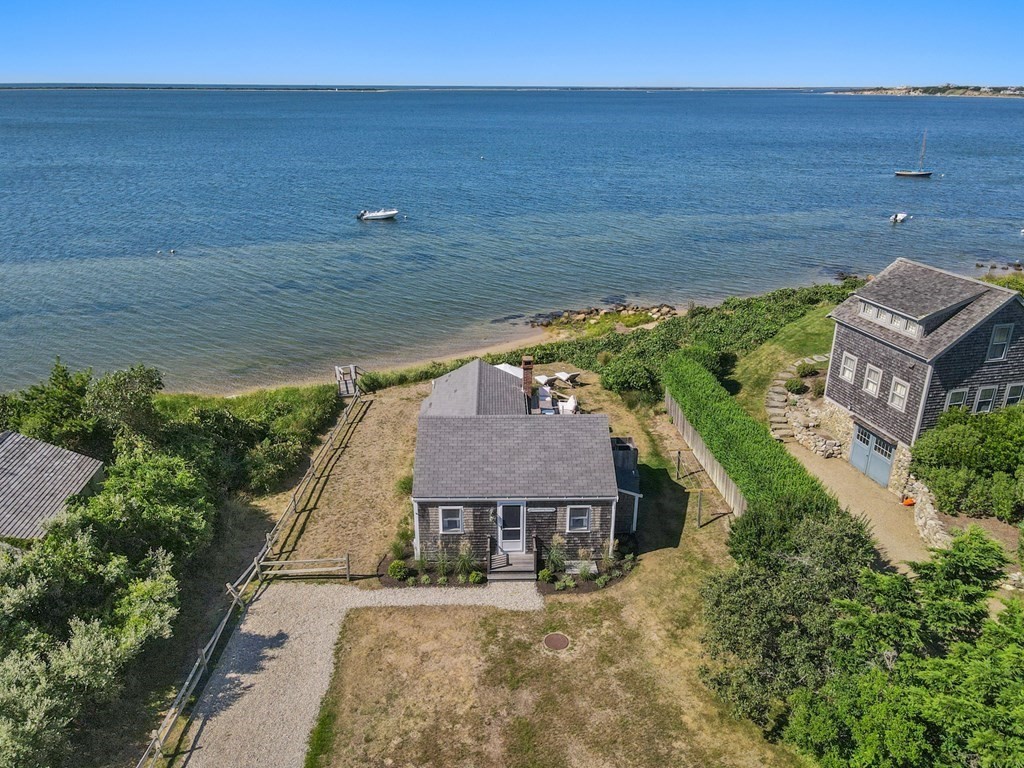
83,602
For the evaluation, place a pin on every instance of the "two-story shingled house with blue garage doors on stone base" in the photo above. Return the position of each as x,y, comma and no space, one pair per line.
911,345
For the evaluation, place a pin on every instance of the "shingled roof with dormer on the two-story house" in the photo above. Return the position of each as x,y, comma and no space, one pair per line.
904,278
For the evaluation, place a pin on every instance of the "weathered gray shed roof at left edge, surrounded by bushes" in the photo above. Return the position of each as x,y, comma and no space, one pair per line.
36,480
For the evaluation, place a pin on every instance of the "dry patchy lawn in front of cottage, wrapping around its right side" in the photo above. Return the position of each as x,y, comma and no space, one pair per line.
477,688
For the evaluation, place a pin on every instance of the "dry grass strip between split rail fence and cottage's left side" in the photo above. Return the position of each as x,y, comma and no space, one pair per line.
359,506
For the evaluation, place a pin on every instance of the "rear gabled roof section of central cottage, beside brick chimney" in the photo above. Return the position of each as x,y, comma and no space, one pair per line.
476,390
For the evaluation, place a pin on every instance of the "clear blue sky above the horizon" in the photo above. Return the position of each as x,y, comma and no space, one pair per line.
560,42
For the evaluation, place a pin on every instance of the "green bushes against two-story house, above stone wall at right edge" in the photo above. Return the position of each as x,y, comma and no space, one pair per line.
974,464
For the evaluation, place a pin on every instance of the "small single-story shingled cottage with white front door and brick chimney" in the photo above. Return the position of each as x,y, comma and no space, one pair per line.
493,472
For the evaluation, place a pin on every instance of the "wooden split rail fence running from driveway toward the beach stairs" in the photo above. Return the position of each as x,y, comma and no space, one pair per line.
267,565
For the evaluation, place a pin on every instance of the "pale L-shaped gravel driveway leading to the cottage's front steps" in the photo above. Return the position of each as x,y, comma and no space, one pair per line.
264,698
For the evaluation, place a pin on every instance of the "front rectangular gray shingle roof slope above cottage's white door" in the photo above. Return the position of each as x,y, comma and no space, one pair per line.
515,457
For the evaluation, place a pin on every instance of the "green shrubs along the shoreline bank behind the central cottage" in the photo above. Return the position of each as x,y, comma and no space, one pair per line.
633,362
